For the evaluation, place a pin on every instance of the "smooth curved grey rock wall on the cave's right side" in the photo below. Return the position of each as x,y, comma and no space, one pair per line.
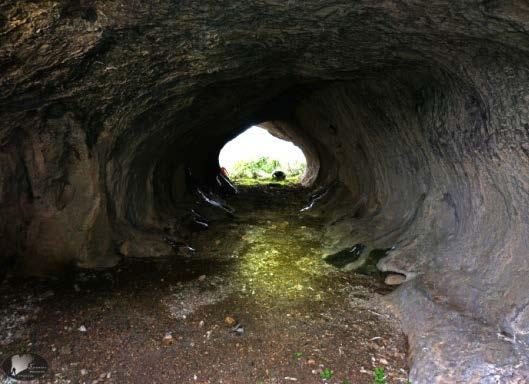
418,180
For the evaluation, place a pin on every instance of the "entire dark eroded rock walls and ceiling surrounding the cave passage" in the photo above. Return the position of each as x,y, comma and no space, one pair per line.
415,113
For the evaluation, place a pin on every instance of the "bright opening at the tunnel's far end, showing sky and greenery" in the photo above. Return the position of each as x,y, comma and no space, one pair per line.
256,155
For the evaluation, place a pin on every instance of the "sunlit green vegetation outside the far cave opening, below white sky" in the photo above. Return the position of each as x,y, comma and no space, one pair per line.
260,171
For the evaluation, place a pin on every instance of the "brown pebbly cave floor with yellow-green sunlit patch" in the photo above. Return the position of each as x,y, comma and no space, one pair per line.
295,316
